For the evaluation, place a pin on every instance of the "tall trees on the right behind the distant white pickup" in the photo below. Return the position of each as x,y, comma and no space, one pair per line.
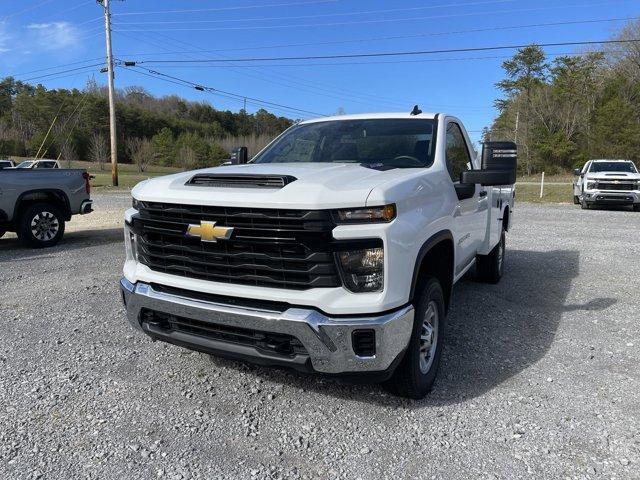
565,111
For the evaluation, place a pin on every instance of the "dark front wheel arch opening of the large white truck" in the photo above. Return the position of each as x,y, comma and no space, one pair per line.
436,257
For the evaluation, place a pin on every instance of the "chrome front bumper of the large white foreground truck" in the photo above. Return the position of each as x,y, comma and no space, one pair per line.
328,340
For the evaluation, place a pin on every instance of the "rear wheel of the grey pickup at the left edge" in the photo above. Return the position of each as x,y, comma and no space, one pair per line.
41,225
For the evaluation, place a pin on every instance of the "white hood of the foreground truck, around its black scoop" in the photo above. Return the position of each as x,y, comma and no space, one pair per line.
317,185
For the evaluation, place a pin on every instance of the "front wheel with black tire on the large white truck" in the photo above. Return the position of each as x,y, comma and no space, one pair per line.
417,372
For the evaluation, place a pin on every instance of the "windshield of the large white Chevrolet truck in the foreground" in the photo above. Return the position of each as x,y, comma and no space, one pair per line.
379,143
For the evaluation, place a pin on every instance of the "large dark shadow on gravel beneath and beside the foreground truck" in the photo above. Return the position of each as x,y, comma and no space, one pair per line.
494,332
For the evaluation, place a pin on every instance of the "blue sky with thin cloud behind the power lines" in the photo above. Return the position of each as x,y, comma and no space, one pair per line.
40,34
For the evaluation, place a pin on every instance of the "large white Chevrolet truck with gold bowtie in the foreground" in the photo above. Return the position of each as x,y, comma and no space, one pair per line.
334,250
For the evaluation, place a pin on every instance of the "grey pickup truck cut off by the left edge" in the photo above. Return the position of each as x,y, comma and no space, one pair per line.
36,203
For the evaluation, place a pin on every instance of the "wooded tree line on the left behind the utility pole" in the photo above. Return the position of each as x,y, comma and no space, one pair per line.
74,124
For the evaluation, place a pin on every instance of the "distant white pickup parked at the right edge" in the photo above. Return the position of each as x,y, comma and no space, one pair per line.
607,182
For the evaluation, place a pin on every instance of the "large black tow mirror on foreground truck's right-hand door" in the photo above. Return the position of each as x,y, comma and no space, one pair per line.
499,165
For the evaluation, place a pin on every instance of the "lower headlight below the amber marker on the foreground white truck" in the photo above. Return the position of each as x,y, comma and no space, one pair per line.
363,270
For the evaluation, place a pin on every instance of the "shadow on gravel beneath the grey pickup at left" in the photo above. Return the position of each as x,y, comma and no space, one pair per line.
11,248
